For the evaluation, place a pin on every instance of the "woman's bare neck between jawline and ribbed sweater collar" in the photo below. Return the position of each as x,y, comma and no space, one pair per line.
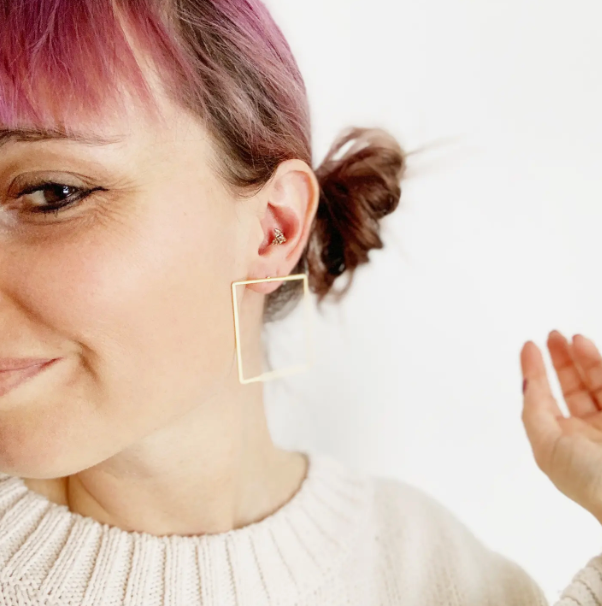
211,470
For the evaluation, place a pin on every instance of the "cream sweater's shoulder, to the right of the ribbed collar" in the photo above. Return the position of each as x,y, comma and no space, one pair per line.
431,545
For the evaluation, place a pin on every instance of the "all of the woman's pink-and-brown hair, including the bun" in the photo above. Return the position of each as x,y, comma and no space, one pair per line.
64,63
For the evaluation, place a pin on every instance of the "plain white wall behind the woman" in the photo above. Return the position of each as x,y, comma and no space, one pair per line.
497,241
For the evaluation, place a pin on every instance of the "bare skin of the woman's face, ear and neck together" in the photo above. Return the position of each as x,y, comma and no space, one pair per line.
143,423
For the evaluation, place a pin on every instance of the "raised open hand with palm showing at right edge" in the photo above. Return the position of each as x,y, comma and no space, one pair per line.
567,449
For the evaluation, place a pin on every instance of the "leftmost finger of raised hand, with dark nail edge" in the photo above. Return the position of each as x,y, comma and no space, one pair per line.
540,413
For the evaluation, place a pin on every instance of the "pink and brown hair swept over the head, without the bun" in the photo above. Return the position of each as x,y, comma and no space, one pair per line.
65,63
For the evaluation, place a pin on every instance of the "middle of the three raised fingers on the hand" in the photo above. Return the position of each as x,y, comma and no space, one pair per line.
578,397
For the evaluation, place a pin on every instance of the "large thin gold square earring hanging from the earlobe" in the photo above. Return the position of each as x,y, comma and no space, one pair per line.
267,376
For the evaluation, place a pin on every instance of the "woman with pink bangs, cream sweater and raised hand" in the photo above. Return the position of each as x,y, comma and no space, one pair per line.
154,153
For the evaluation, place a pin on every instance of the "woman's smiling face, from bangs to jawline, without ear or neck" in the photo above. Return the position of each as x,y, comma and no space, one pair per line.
130,287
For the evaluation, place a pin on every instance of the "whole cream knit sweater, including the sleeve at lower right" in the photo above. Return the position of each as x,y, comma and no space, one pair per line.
346,538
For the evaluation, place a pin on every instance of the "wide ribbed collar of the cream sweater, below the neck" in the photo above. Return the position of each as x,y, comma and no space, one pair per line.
56,557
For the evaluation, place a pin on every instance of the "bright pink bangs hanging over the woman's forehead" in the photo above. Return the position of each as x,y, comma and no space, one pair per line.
66,61
